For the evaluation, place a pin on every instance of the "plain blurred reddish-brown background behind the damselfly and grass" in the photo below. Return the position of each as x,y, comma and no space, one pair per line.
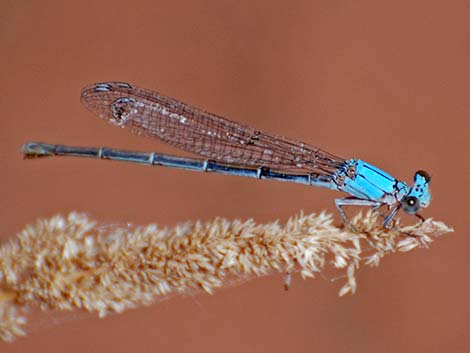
385,81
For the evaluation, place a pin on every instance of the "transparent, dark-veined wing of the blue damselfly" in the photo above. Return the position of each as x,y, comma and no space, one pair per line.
193,130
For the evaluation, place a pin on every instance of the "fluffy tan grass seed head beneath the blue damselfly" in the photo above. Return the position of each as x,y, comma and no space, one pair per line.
72,262
